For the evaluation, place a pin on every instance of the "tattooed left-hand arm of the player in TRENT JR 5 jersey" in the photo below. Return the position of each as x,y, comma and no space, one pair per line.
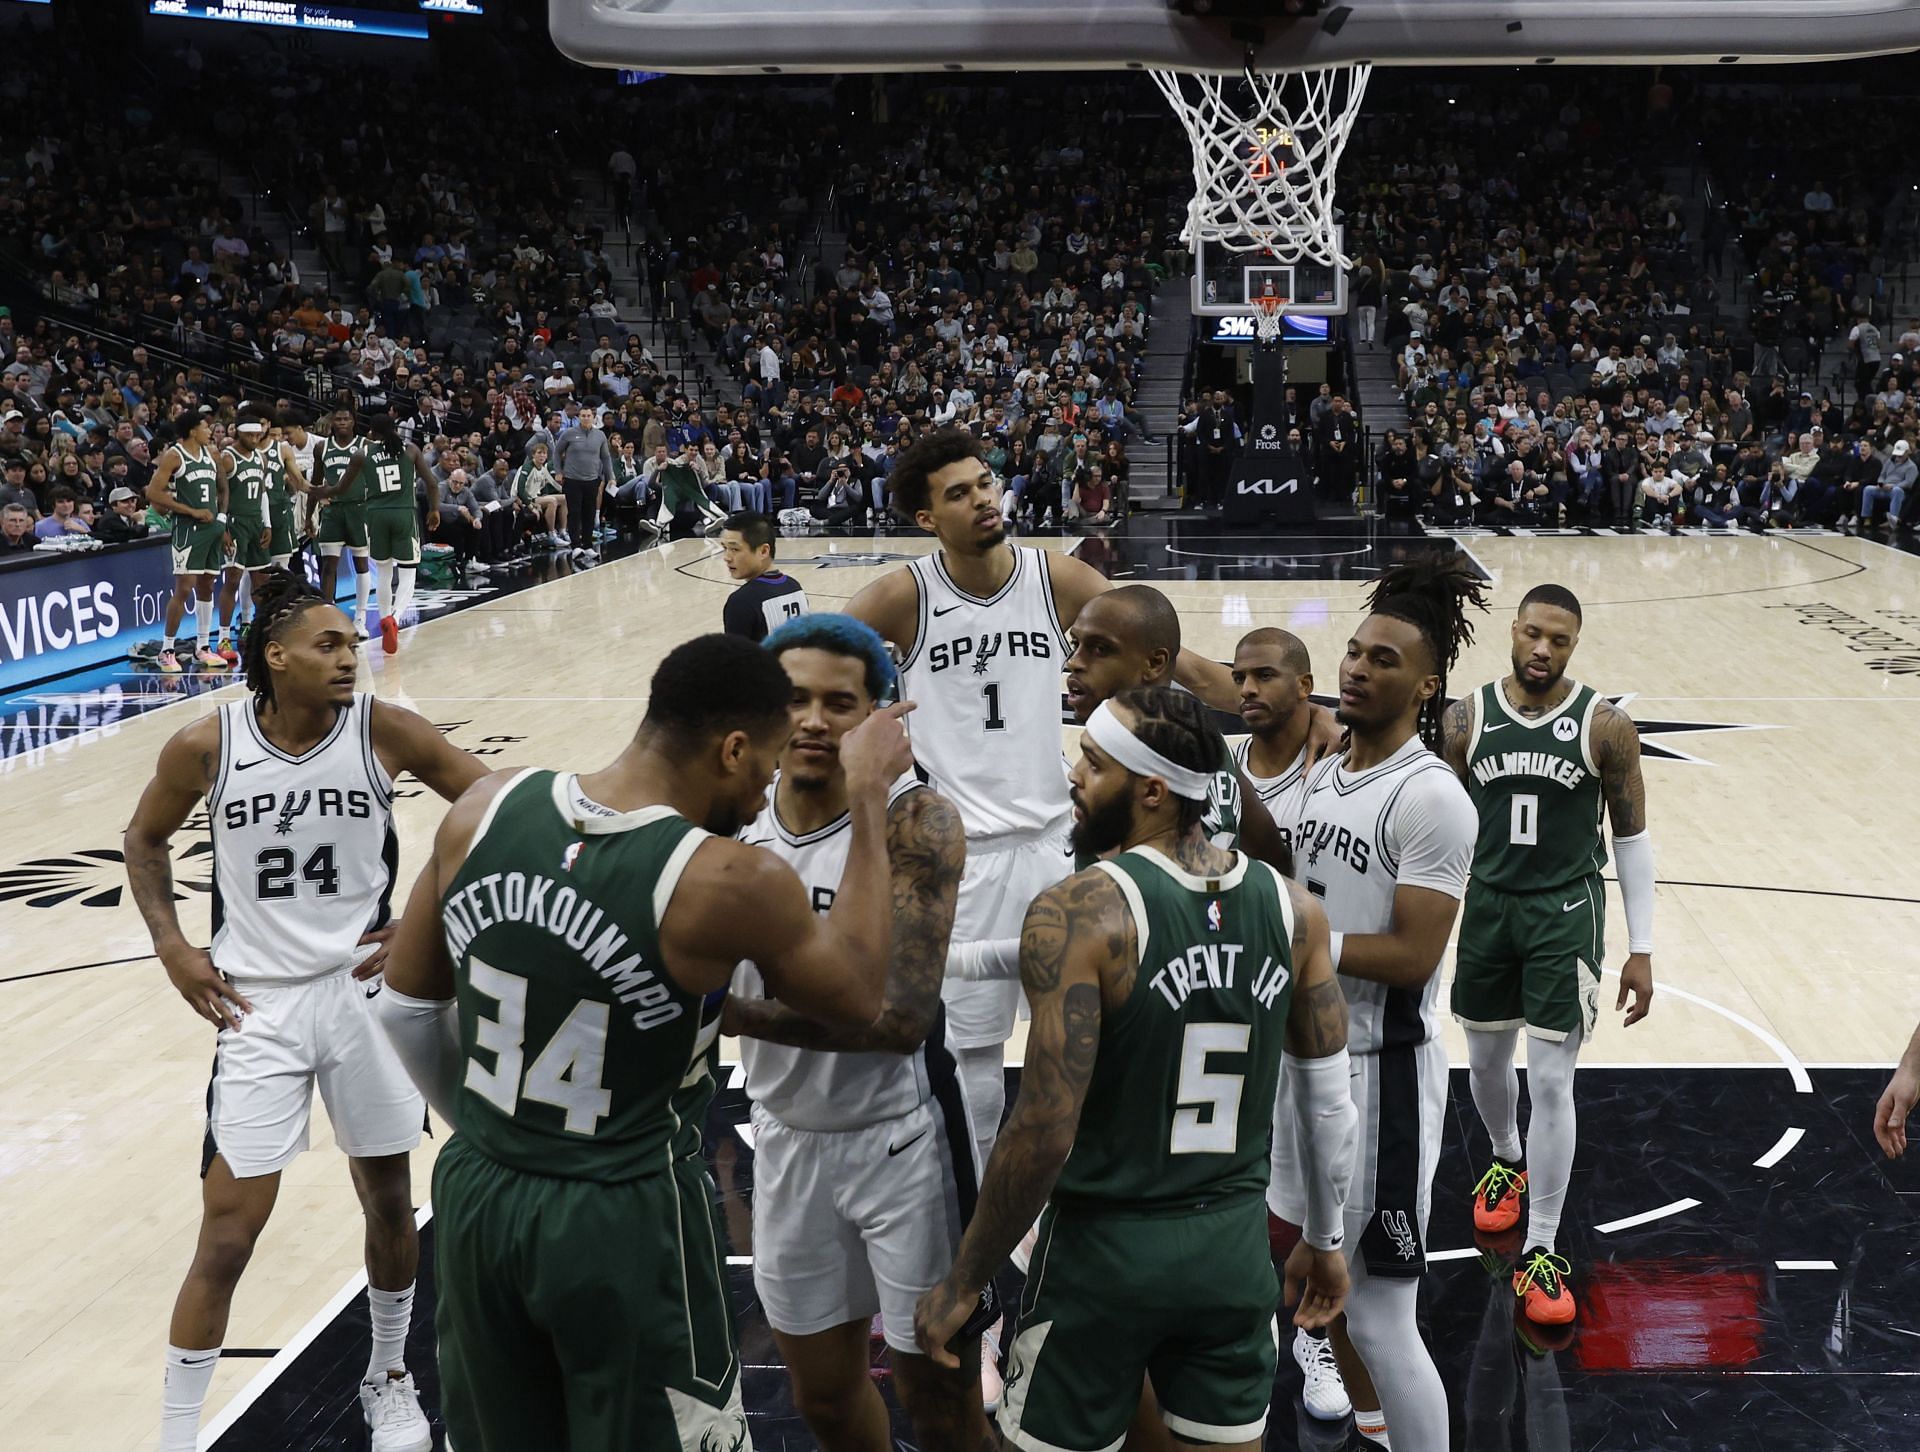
1080,919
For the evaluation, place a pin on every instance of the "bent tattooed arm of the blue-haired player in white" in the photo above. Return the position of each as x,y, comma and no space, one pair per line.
926,850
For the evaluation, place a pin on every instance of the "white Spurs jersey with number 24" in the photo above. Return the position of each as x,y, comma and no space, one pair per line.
304,848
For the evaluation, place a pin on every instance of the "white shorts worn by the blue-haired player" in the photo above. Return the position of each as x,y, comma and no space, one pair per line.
855,1222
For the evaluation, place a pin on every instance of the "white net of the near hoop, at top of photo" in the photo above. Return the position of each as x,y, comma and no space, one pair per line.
1266,149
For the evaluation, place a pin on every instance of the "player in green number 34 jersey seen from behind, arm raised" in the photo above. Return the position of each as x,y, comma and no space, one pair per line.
556,992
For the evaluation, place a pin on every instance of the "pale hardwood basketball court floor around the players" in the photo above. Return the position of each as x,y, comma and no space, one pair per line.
1785,671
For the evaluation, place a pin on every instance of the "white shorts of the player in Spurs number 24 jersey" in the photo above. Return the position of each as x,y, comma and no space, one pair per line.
264,1075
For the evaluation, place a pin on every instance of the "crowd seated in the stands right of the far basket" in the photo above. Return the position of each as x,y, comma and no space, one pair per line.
1572,351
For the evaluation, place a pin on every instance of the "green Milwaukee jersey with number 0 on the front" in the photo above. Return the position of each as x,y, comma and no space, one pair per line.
1539,792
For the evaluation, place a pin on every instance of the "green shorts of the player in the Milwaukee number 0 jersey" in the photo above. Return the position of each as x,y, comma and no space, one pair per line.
1531,959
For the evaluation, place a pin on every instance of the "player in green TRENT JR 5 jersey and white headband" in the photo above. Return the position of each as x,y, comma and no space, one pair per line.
1166,982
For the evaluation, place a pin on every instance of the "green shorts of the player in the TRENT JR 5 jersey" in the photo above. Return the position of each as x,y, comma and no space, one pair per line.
1186,1299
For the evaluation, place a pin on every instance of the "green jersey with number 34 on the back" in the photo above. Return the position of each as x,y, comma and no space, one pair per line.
585,1059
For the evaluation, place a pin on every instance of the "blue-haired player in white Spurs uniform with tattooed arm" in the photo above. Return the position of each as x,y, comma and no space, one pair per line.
863,1174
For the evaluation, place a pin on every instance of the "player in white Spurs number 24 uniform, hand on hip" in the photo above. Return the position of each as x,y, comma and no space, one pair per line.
299,785
